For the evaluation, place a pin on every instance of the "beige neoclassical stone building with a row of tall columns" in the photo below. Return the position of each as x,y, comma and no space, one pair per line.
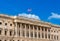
15,28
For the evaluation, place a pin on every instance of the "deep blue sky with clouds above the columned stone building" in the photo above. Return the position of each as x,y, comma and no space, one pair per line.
46,10
